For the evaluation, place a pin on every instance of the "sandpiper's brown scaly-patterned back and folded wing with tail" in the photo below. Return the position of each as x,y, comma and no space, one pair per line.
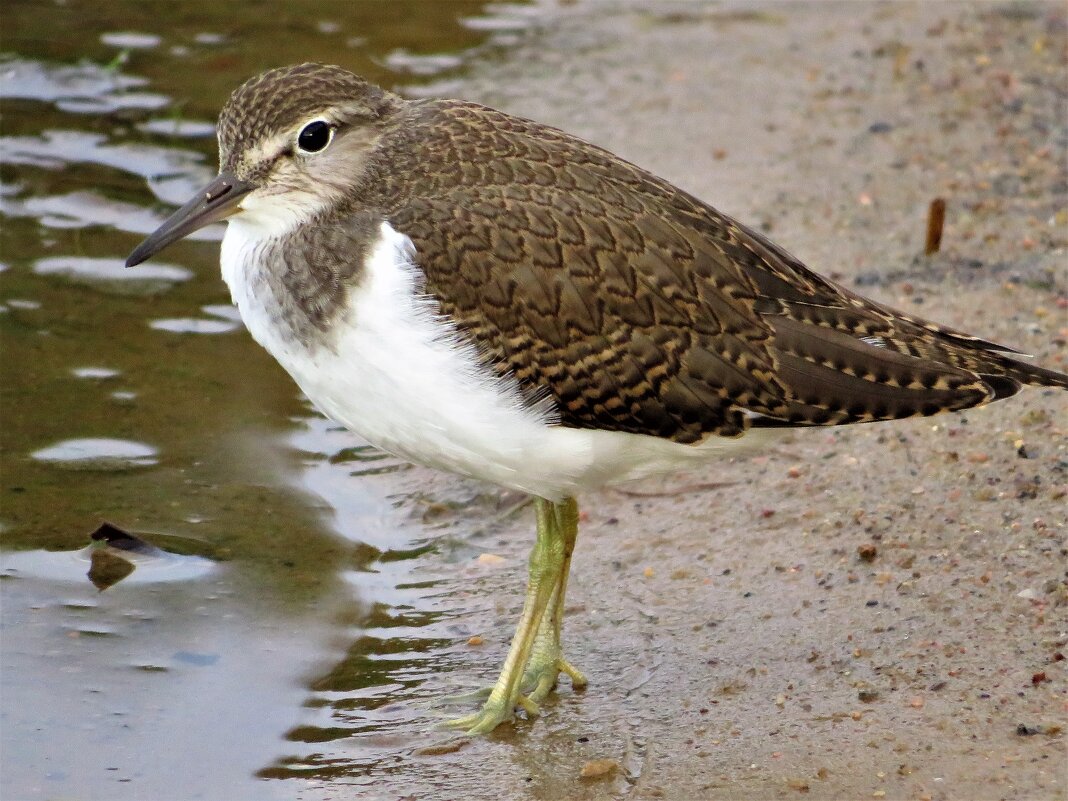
638,308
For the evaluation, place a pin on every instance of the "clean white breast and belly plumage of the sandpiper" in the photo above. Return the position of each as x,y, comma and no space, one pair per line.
398,374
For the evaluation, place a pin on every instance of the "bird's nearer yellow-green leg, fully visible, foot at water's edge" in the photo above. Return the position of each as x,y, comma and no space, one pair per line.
546,561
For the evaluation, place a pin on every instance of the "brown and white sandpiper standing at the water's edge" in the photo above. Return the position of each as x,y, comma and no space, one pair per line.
482,294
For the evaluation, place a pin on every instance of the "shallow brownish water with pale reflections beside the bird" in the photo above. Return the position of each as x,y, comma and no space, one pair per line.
294,619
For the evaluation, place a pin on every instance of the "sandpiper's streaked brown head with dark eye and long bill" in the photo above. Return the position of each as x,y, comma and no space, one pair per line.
292,143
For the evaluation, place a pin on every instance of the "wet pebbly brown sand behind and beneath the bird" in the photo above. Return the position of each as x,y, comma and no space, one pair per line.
870,612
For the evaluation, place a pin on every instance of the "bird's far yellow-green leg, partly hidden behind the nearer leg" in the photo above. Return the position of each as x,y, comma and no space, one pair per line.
547,658
